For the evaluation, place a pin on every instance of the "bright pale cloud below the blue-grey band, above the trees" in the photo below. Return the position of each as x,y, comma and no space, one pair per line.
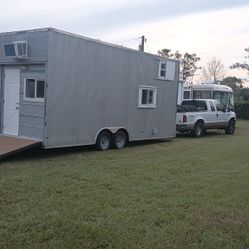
223,34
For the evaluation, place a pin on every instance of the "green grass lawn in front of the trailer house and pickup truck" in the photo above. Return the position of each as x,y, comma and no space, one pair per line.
182,193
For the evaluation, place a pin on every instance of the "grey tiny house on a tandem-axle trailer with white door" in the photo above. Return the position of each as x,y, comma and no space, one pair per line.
67,90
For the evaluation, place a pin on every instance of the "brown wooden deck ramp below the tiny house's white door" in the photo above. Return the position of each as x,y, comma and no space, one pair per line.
11,145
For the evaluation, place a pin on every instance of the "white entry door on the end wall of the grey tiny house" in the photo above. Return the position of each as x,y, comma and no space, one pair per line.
11,101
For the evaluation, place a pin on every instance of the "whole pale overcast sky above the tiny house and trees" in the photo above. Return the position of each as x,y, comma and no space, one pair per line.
208,28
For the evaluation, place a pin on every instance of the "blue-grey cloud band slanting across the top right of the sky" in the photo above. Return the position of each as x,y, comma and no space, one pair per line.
147,11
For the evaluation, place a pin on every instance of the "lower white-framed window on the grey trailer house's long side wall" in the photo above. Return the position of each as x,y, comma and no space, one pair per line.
147,97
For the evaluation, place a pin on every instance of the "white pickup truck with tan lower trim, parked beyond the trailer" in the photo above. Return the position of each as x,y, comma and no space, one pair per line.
198,115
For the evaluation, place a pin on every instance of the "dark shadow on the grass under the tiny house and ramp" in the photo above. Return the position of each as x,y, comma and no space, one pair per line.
39,153
